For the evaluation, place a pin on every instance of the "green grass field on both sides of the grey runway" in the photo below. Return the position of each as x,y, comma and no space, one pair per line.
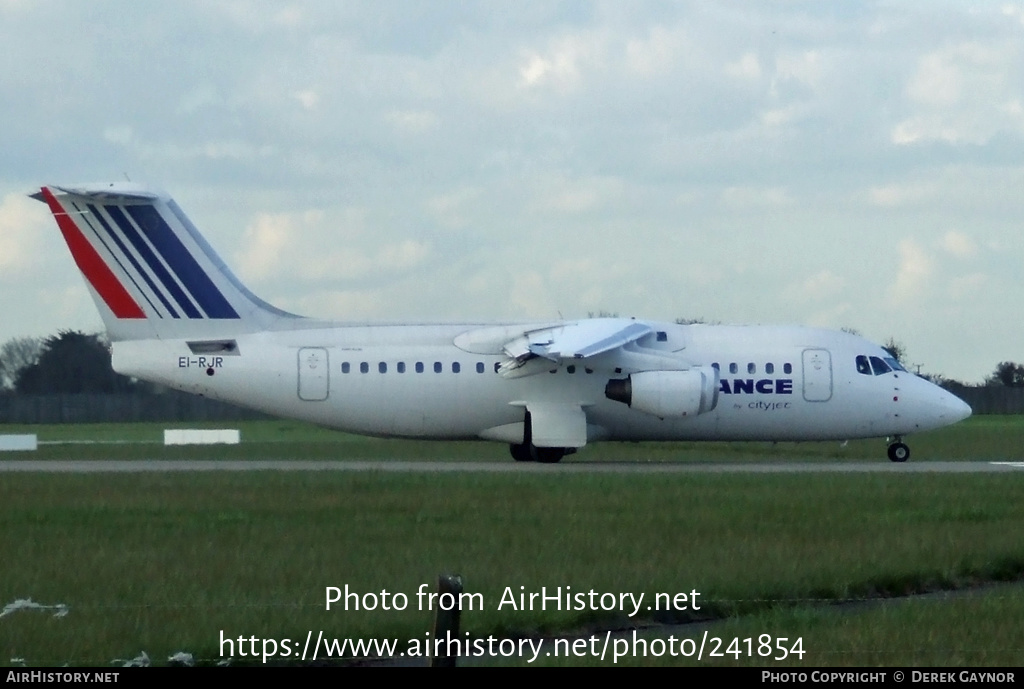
165,563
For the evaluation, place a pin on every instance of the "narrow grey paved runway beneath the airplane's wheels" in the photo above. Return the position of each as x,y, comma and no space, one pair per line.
178,466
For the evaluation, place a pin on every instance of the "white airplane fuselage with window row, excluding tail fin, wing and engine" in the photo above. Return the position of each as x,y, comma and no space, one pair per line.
776,383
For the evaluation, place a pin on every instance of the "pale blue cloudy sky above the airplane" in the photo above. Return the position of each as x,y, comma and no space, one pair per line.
855,165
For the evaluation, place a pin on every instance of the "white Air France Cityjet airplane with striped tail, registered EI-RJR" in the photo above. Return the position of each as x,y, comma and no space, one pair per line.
177,316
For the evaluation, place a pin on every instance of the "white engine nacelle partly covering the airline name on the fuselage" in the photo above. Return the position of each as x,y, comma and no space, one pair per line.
667,394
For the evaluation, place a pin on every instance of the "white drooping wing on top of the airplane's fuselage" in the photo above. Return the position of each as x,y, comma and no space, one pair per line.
536,351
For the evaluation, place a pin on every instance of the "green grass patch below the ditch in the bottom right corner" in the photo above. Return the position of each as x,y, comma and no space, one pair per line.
973,629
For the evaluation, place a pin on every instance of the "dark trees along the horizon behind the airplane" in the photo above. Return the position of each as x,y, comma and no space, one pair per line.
72,362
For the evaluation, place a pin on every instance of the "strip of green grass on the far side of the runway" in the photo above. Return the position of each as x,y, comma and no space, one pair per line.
983,439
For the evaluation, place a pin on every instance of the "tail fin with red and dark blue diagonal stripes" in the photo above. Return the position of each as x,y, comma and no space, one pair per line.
151,274
